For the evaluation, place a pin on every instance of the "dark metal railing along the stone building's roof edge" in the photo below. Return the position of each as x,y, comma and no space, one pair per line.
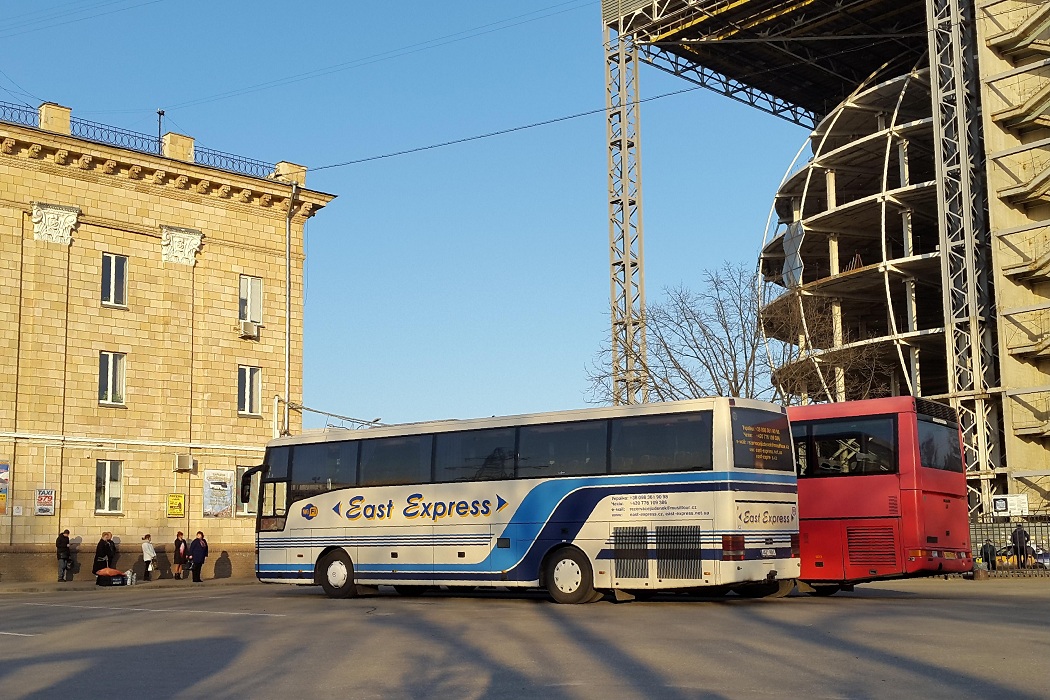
143,143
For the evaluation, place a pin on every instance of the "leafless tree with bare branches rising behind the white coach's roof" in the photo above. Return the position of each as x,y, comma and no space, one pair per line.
723,342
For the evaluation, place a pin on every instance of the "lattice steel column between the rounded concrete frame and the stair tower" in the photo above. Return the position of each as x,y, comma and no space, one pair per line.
965,246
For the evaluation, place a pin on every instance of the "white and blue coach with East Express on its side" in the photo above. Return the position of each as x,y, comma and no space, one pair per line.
692,496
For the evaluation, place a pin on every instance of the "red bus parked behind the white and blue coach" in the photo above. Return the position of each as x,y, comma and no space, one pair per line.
881,493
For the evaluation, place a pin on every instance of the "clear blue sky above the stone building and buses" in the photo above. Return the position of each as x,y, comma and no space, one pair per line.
463,282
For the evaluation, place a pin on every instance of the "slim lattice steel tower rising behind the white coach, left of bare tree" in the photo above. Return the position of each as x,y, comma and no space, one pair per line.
627,274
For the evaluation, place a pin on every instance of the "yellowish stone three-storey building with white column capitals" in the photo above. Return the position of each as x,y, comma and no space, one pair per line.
143,344
